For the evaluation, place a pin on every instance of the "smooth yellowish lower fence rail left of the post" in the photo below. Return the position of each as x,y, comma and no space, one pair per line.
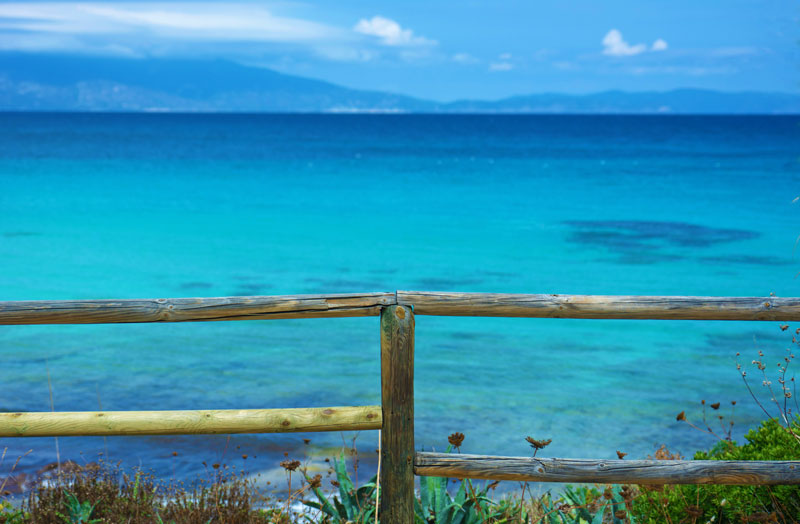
80,423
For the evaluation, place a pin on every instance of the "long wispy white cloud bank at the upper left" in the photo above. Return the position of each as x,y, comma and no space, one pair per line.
185,21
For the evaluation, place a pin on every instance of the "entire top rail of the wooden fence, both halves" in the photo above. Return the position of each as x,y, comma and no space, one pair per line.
423,302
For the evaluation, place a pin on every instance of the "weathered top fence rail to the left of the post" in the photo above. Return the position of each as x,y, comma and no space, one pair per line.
192,309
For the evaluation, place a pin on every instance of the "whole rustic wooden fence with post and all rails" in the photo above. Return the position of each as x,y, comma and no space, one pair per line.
395,415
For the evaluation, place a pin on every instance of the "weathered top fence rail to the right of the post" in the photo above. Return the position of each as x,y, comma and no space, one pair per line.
599,306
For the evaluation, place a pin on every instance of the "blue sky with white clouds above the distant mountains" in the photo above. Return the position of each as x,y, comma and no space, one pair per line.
444,50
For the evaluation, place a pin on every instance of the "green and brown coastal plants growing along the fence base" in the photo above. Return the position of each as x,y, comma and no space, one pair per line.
97,494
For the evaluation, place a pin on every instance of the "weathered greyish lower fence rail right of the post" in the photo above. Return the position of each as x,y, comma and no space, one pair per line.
607,471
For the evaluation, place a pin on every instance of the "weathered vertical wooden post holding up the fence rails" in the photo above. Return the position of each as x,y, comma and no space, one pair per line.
397,400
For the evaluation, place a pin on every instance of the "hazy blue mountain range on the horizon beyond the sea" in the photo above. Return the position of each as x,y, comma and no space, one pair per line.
35,82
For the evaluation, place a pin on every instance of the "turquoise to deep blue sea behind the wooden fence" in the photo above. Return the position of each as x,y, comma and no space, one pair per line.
140,206
